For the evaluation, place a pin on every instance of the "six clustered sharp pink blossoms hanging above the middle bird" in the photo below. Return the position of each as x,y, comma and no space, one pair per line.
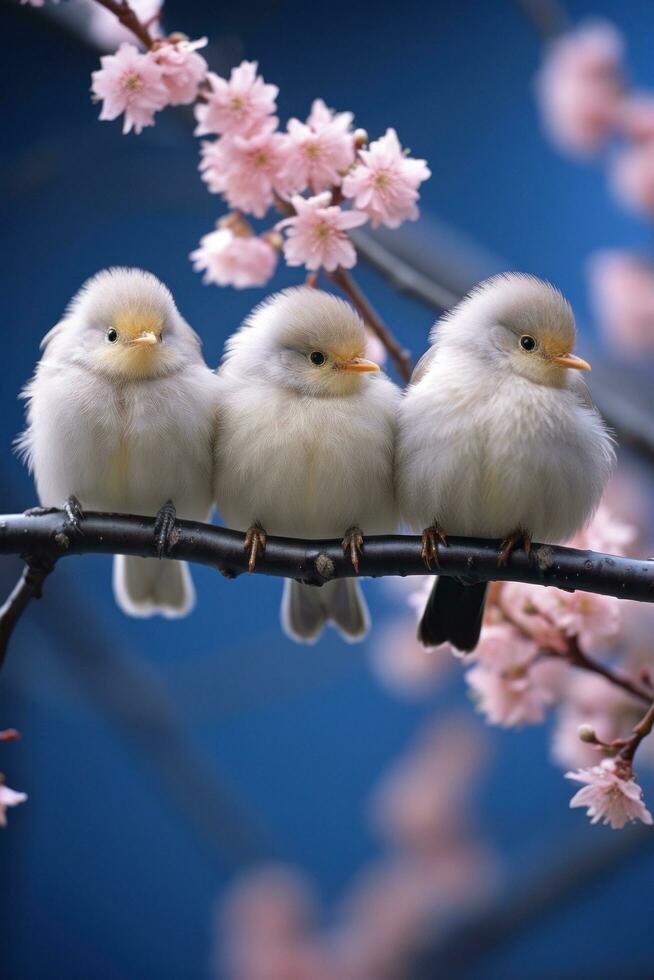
324,176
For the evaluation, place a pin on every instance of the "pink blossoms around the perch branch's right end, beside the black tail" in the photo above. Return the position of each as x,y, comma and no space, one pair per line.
538,651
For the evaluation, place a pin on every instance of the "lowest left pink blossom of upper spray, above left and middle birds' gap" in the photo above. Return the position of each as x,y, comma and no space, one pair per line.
234,260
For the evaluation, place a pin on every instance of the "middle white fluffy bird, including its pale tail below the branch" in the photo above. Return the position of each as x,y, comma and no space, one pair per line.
305,444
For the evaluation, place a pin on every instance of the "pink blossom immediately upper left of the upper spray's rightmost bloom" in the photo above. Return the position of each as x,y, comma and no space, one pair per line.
319,150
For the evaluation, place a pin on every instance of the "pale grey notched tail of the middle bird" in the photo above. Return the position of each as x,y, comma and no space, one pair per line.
306,609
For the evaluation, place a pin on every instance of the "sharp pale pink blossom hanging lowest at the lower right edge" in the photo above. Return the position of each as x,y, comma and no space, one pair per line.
609,796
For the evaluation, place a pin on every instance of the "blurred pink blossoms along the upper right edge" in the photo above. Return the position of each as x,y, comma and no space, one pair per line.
587,107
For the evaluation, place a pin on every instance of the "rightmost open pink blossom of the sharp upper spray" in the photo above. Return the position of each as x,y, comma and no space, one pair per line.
385,185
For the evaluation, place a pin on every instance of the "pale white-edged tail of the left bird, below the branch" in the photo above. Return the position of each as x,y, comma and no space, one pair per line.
146,586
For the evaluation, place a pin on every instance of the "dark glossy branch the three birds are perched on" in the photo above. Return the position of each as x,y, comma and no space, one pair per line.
44,538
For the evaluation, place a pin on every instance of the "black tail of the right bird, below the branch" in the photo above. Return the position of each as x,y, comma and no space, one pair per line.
453,614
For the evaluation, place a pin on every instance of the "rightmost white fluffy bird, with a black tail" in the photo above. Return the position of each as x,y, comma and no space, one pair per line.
498,437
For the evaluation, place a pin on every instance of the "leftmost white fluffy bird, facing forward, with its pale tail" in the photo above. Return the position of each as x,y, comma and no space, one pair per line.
121,418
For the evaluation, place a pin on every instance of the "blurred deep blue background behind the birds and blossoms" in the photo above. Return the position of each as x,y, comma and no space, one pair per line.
137,733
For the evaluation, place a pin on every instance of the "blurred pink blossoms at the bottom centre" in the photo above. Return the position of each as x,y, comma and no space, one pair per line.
432,868
